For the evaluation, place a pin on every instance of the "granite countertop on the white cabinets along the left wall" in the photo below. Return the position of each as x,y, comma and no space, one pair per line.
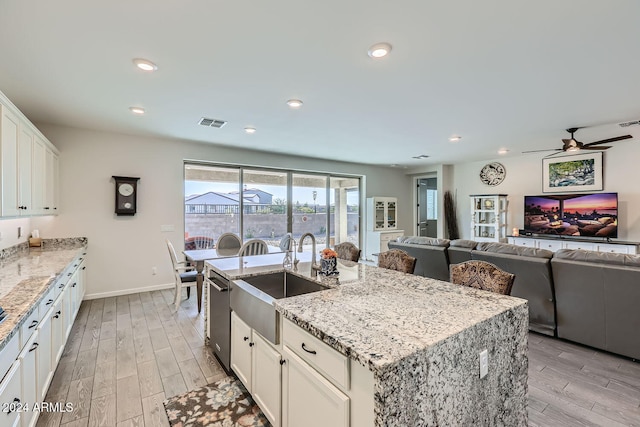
26,274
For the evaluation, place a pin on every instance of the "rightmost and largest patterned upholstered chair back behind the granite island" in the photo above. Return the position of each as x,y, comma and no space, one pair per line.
482,275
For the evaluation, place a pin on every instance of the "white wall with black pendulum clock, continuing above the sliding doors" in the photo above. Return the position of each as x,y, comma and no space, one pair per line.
123,250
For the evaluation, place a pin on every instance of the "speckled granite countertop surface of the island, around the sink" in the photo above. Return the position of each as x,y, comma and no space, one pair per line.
375,316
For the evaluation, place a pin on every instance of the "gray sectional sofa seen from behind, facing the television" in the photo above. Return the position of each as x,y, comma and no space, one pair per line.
584,296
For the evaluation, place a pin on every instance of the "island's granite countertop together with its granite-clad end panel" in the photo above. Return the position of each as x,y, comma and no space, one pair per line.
420,338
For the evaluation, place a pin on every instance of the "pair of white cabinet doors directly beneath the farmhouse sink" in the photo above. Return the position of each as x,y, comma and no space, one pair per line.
257,365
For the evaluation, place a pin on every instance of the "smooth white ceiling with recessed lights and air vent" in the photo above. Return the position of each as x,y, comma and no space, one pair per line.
500,73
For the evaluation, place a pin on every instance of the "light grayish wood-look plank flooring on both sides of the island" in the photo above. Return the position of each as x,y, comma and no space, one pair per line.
126,354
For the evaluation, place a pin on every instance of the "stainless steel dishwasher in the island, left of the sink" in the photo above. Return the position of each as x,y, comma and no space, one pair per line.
219,317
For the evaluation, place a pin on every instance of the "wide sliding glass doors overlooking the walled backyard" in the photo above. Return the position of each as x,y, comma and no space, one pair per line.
268,203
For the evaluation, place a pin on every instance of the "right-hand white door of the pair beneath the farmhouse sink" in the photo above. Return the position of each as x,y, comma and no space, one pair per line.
266,379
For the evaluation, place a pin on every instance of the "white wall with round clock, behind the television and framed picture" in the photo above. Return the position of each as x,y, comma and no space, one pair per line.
524,177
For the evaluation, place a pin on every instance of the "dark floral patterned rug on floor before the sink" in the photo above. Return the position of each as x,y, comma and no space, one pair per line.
225,403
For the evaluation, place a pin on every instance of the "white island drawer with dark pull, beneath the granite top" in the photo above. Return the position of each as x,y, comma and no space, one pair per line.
325,359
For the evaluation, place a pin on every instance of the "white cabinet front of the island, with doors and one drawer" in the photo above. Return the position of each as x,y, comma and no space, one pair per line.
302,381
